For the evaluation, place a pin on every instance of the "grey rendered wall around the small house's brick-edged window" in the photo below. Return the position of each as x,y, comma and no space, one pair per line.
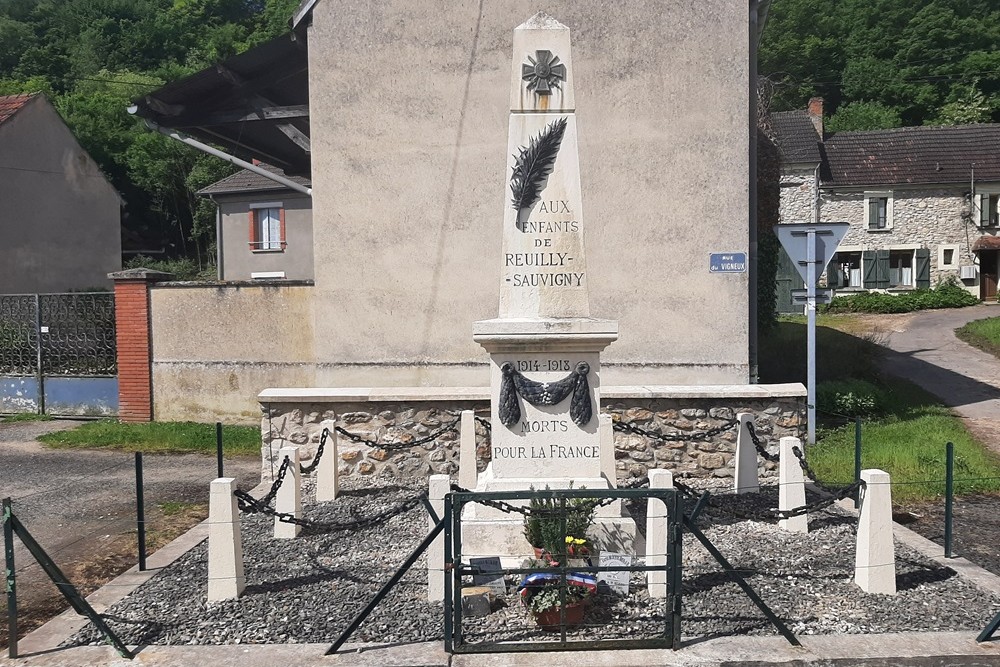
239,261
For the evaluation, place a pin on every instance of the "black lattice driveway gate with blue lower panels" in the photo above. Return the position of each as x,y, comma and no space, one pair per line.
57,354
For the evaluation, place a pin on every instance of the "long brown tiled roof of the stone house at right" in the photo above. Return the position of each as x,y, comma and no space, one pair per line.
912,155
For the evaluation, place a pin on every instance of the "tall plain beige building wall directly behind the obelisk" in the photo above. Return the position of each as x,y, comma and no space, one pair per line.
409,105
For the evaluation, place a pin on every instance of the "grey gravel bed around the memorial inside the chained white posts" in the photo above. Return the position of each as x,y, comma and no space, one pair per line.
309,589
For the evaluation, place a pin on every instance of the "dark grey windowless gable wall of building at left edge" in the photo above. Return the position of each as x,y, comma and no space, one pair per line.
61,222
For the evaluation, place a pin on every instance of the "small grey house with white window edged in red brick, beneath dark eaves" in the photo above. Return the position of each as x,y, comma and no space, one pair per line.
263,229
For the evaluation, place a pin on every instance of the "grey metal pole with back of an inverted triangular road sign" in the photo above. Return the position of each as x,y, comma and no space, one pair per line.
811,247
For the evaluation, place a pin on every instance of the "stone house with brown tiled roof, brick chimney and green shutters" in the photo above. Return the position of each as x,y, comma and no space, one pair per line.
921,201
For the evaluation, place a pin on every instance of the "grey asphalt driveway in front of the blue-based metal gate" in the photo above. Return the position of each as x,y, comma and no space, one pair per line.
74,501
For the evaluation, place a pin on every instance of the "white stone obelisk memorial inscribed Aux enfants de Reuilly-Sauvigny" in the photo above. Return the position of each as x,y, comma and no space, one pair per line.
544,346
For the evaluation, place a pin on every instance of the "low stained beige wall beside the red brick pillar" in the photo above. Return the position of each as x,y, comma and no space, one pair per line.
215,347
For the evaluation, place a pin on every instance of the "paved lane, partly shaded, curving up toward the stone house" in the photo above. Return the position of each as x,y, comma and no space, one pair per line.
926,351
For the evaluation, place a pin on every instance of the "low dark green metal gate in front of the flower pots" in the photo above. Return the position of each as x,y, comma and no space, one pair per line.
663,619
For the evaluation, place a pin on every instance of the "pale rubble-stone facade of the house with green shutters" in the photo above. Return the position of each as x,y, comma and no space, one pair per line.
927,217
